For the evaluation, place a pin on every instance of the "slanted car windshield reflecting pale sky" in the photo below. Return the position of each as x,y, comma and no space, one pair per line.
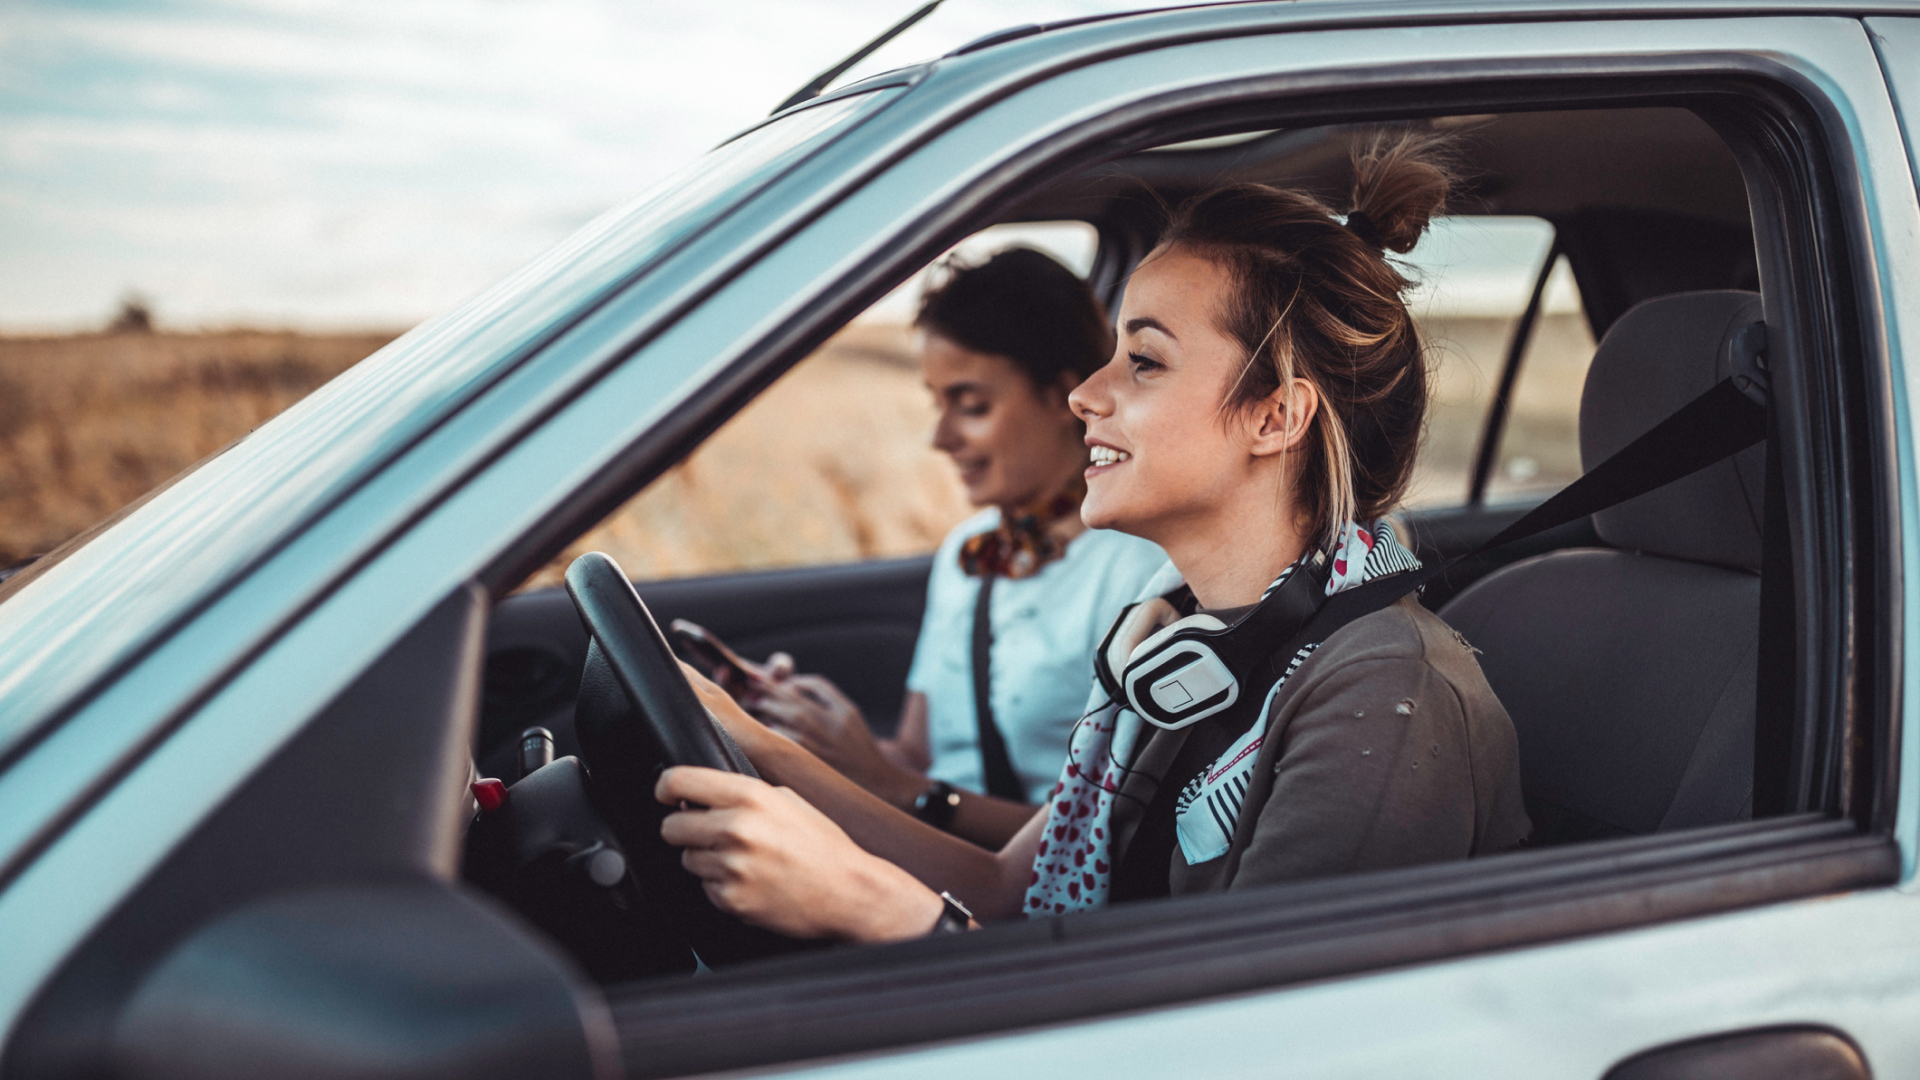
195,537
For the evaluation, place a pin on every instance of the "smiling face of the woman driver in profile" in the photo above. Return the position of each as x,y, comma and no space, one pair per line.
1168,462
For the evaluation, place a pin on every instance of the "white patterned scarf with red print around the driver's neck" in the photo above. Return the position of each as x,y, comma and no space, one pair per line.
1072,868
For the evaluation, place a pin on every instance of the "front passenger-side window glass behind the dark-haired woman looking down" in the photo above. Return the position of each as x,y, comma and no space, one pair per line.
828,466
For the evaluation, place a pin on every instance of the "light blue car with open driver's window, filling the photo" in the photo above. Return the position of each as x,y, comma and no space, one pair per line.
239,724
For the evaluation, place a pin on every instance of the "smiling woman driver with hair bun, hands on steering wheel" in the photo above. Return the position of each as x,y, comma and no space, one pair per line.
1259,418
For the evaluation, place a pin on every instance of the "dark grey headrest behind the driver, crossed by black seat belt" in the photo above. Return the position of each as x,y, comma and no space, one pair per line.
1656,358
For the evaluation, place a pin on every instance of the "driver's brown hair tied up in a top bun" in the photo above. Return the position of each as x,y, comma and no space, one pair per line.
1318,299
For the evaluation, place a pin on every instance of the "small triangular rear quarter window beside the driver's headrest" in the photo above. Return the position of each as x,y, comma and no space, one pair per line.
1541,445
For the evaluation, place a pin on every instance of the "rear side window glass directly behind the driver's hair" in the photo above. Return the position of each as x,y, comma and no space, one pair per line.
1474,282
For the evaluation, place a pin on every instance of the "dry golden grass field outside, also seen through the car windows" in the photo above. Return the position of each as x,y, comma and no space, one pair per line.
832,464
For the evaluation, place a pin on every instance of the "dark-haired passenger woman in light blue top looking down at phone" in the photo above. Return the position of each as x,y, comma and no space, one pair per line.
1020,593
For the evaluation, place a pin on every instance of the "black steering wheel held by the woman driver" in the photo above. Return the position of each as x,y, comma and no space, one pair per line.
656,704
